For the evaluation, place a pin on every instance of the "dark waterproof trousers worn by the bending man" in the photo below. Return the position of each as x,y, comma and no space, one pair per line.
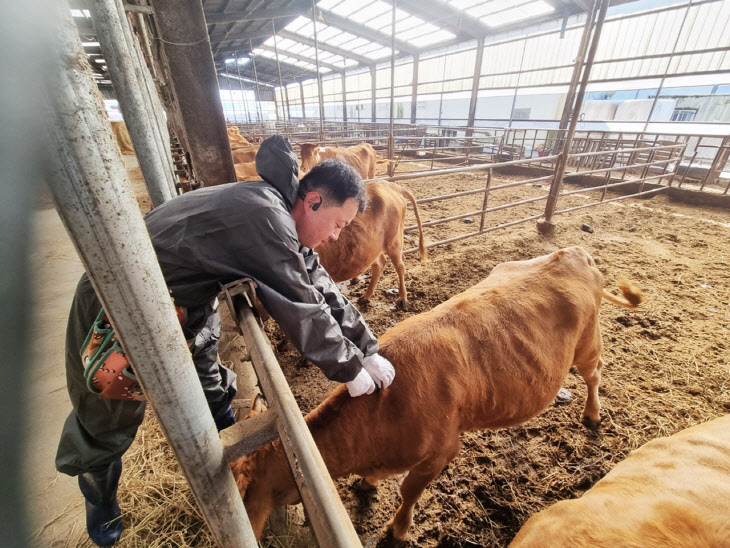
99,431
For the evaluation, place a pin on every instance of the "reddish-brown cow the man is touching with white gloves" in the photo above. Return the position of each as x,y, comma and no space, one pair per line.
491,357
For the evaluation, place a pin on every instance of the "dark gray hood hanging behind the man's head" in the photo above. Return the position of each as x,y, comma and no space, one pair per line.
277,164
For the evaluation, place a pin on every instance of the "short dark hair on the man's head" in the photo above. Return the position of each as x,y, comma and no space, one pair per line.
336,181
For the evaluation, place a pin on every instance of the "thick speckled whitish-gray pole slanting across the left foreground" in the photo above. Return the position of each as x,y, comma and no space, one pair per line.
106,226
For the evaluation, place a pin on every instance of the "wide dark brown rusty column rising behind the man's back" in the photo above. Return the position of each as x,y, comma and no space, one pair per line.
183,32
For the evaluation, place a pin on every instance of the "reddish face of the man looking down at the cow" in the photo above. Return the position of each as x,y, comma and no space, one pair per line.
322,224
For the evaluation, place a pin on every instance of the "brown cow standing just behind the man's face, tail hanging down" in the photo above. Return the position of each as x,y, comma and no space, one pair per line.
372,237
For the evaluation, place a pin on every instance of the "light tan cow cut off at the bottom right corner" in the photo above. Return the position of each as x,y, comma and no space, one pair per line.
671,492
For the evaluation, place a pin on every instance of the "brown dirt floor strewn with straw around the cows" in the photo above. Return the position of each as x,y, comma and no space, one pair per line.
667,367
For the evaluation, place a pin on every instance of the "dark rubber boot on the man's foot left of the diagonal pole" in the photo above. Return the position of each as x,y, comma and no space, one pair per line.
103,516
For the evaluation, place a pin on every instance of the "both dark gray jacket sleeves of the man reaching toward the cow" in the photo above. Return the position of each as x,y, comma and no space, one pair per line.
287,289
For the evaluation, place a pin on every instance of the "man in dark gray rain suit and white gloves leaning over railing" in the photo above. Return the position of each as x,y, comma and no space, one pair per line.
264,230
